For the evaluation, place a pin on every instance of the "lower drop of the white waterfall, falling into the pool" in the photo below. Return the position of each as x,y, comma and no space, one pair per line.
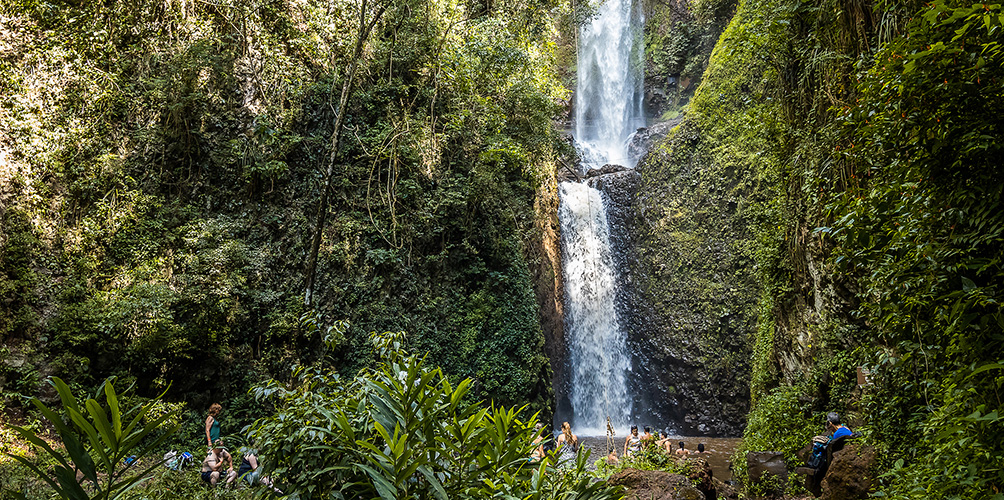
597,344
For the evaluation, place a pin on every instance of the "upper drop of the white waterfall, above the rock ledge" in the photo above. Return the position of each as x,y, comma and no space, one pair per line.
609,99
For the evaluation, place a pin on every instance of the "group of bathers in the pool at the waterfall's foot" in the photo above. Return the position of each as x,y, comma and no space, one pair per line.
567,445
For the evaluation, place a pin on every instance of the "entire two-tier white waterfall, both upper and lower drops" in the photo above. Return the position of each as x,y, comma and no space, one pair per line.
608,110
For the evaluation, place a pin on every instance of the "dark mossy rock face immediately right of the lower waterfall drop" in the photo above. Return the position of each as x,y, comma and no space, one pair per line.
688,276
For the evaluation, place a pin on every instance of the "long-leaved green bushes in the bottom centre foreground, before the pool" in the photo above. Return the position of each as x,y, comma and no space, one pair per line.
402,430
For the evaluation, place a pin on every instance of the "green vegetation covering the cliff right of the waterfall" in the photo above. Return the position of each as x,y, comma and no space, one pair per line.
862,142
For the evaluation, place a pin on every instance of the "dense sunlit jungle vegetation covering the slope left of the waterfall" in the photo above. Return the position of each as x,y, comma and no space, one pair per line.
164,164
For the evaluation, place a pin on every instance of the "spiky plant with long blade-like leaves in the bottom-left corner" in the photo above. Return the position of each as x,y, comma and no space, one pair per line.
97,445
